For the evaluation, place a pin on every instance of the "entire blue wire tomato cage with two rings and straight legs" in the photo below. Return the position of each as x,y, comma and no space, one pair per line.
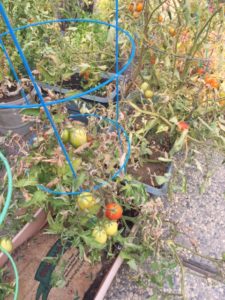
45,105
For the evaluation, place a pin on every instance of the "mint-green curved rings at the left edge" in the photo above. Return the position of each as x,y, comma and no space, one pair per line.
2,217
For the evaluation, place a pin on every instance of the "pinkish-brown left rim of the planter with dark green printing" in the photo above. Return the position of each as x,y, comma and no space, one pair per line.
27,232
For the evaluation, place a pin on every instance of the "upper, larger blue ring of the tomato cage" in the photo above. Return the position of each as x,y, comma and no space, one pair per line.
111,79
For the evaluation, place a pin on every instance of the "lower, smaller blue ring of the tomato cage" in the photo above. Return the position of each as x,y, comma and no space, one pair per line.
116,174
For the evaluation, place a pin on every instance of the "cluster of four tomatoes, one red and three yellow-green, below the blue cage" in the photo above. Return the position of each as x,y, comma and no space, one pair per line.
109,226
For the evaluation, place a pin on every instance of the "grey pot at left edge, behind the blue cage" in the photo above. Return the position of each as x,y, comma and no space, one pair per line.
11,120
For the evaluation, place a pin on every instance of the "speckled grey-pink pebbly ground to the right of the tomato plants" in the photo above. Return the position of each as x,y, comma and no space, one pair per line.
200,213
